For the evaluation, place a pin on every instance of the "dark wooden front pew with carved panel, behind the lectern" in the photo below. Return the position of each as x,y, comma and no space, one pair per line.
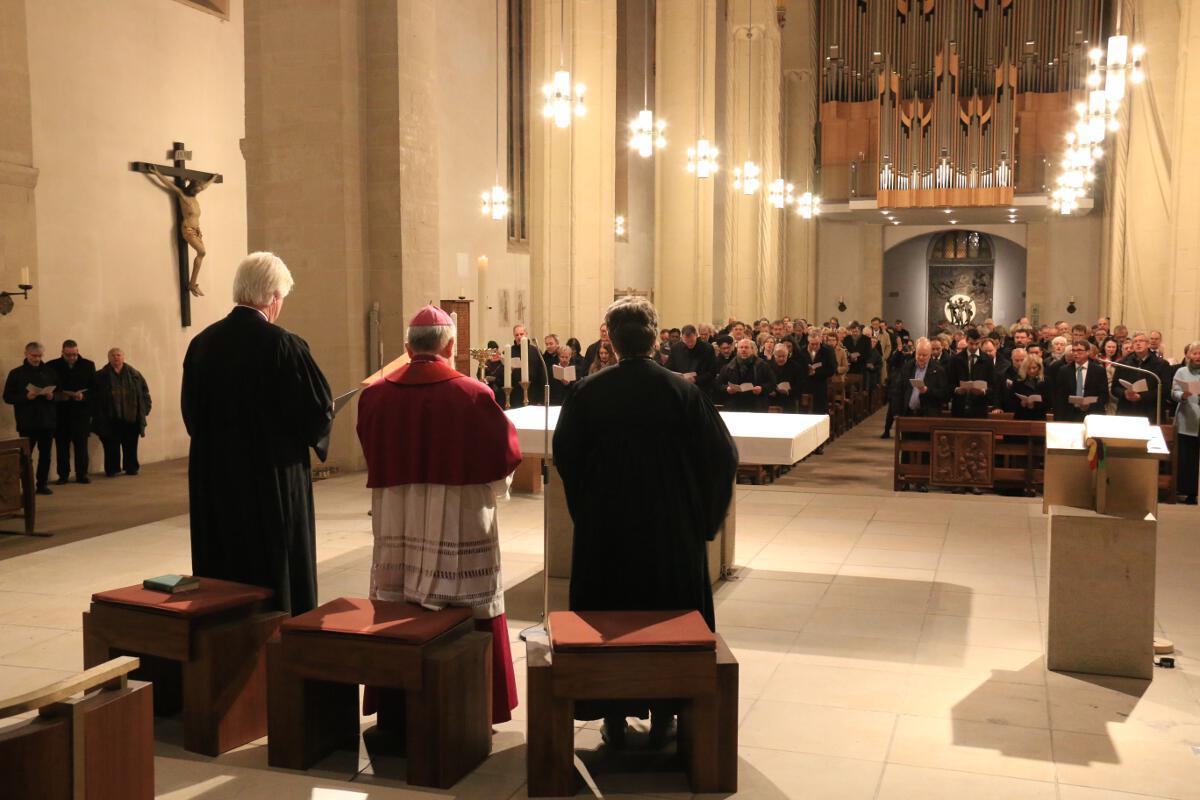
995,453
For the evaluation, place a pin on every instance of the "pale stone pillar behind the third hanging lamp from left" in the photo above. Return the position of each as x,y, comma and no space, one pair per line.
687,99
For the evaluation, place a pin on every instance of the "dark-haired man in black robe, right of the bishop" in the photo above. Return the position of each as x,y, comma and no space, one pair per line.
620,432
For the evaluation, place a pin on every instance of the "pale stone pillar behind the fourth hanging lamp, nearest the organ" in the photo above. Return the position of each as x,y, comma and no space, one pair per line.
753,275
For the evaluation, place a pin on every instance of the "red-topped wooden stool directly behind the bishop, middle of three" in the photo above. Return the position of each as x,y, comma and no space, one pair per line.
436,659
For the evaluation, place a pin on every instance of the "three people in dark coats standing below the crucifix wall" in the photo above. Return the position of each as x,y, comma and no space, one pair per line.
58,405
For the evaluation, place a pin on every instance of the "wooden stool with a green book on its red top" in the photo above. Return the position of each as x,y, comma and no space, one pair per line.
203,651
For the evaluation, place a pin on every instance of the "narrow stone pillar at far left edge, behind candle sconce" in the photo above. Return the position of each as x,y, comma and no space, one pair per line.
19,177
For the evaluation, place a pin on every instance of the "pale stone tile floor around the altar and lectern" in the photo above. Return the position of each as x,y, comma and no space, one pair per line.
891,647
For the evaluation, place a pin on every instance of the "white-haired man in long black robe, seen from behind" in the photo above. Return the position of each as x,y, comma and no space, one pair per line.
255,402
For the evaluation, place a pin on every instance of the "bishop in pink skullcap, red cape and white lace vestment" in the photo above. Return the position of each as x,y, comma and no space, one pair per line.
440,452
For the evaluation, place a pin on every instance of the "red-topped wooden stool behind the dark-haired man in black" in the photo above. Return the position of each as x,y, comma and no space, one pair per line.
632,655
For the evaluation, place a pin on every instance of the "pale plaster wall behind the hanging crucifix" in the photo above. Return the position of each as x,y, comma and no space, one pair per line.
113,83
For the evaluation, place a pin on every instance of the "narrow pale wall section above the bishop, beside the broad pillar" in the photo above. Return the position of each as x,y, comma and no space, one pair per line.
466,125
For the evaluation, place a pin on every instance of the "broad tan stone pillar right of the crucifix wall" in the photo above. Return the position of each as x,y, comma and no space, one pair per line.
341,173
